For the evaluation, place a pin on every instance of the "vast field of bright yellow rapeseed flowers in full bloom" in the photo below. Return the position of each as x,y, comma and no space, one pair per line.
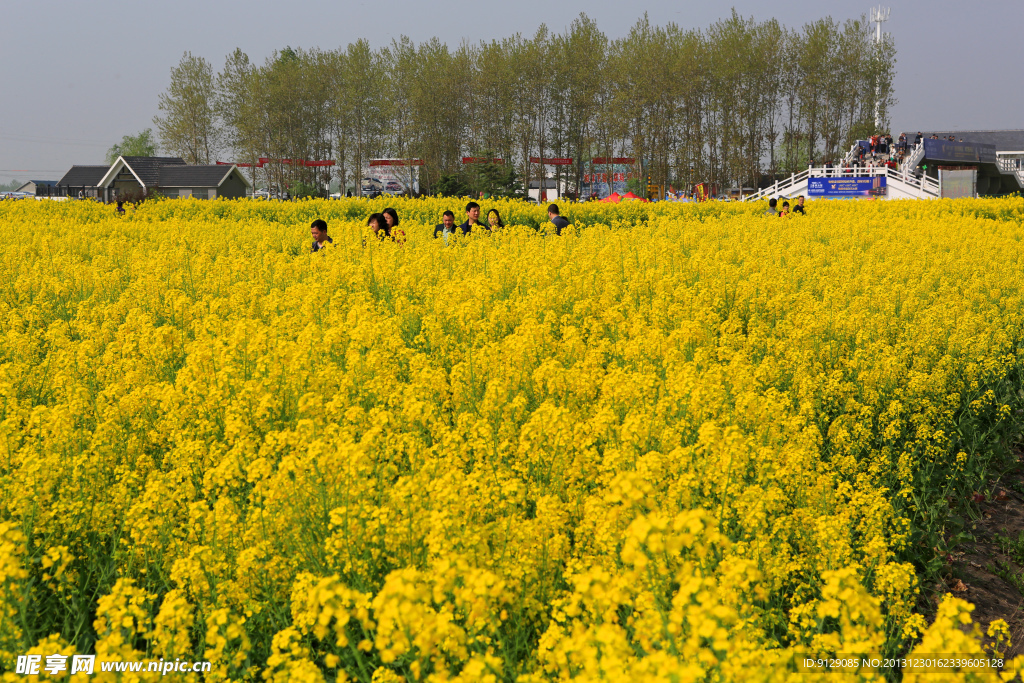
679,443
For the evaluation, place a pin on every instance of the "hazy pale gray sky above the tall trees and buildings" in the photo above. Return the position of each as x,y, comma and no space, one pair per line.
77,76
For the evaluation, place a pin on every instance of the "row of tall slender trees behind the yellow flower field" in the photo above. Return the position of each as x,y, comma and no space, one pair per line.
729,105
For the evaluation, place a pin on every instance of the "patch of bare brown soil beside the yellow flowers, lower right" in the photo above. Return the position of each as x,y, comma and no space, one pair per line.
990,571
